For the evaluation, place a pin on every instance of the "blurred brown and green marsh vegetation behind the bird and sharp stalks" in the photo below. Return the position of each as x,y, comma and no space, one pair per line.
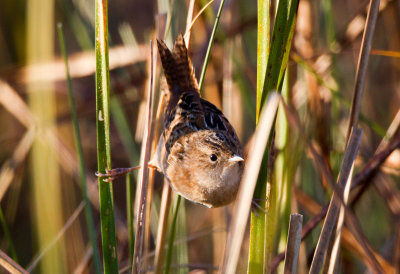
43,226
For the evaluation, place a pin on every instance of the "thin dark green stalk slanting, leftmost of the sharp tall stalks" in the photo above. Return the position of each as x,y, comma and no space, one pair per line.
82,174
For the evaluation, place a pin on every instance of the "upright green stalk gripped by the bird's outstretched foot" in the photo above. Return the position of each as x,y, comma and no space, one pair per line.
108,238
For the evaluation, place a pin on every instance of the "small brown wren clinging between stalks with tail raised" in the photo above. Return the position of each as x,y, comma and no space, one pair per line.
198,151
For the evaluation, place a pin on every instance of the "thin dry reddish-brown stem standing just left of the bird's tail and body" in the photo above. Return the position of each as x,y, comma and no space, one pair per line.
143,179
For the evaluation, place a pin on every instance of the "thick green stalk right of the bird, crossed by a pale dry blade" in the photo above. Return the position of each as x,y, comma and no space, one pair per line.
271,66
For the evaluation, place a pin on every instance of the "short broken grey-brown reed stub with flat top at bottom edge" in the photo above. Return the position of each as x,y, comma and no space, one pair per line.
293,243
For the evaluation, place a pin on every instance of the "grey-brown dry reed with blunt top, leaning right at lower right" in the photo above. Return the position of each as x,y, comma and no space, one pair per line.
334,206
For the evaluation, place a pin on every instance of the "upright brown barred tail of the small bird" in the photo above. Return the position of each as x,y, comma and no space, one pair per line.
177,66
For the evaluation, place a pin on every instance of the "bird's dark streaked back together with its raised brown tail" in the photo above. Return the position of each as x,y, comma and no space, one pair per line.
186,112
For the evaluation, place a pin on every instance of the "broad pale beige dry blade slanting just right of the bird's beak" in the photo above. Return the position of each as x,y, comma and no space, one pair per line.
244,199
